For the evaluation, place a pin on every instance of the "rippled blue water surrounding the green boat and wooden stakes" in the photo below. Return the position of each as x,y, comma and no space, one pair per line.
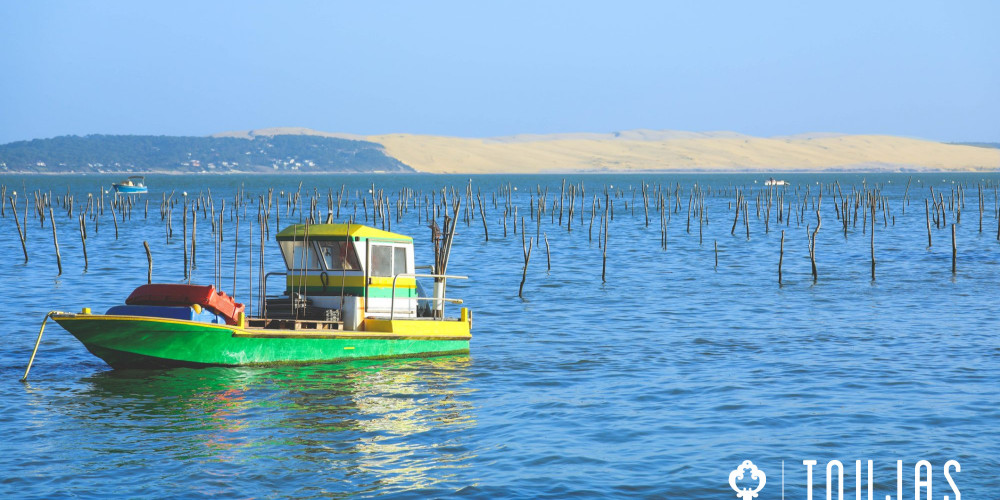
655,384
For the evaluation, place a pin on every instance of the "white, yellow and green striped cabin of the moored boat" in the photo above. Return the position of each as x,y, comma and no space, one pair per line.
351,269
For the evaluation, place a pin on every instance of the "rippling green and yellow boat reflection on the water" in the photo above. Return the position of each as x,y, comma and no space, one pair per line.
360,426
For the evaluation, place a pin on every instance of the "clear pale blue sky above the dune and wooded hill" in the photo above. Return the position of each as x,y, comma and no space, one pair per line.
477,68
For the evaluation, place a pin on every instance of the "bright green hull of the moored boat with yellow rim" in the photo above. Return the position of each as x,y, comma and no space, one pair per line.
141,342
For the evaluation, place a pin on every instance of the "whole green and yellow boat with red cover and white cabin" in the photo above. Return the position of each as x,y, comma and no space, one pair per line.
350,293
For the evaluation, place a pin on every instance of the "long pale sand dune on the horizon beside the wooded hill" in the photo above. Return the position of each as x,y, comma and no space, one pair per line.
653,150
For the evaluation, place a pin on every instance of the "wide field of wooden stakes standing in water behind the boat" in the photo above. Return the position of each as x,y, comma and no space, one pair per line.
661,203
